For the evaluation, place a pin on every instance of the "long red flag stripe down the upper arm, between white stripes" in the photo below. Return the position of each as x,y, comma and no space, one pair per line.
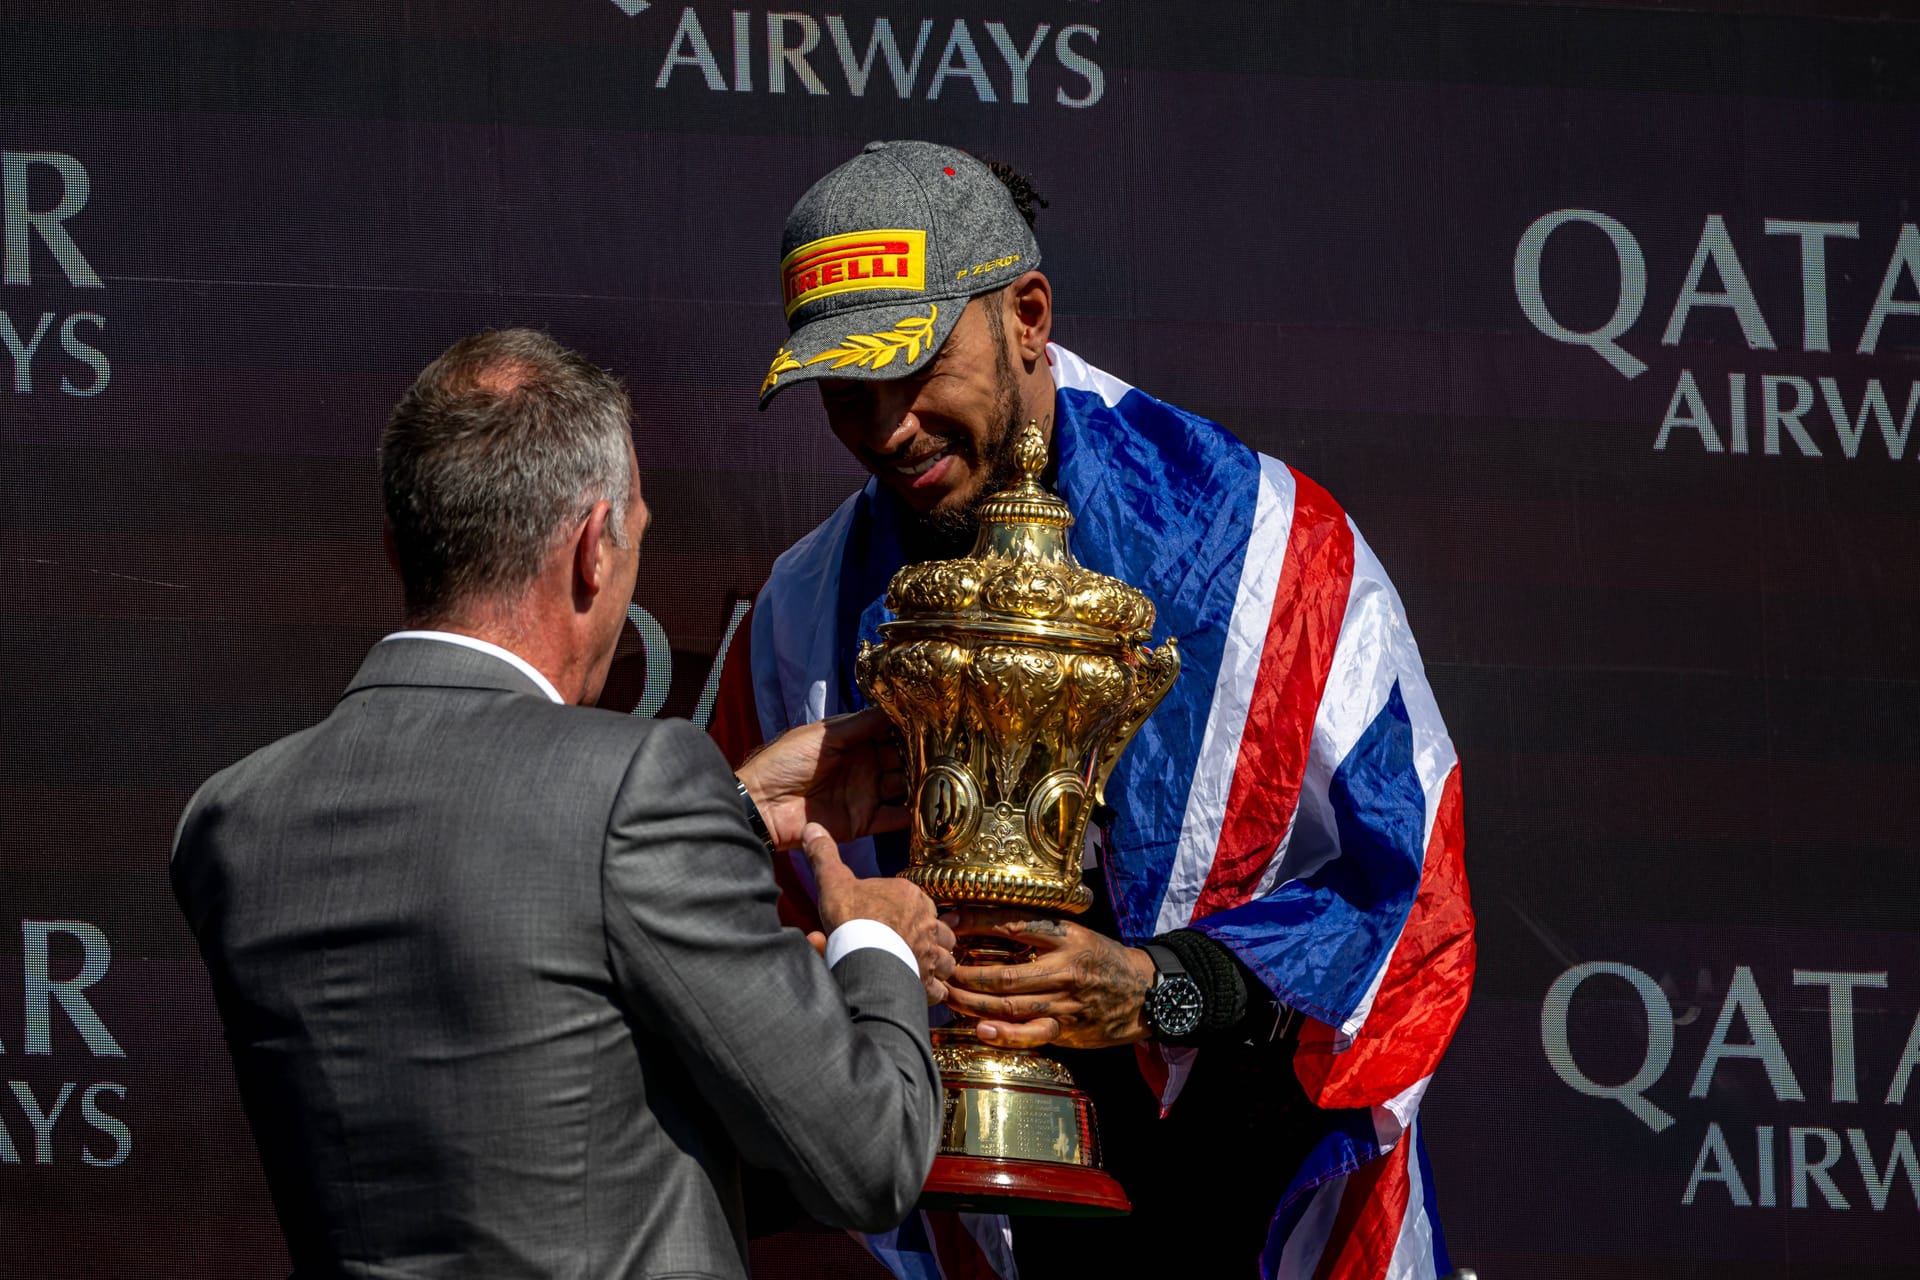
1308,609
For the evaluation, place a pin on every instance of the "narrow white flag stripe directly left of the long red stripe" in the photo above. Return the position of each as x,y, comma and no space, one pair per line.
1234,694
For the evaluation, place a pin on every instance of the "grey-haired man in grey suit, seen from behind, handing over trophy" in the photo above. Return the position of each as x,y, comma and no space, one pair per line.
502,980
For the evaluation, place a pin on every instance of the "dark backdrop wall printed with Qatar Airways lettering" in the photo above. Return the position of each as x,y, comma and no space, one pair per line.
1671,617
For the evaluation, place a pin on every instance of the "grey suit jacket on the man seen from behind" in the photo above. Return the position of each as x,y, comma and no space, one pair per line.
508,997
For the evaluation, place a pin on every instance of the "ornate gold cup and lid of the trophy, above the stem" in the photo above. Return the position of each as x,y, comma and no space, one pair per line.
1017,678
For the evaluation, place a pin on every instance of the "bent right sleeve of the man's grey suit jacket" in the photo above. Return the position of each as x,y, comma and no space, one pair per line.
823,1078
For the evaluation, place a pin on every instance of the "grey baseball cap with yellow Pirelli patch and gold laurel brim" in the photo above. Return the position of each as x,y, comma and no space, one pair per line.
880,258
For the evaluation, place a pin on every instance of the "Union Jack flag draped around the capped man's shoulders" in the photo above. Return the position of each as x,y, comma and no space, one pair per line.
1295,797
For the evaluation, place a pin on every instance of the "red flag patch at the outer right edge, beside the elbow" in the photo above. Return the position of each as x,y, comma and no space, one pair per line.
1426,989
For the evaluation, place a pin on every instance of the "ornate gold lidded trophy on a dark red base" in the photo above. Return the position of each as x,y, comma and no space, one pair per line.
1017,678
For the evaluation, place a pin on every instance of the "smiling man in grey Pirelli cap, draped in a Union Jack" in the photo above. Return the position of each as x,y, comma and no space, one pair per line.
1282,939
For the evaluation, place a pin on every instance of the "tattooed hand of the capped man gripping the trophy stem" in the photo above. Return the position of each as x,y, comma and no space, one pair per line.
1082,989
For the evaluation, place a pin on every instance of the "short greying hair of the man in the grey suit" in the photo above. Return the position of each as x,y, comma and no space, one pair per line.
498,450
